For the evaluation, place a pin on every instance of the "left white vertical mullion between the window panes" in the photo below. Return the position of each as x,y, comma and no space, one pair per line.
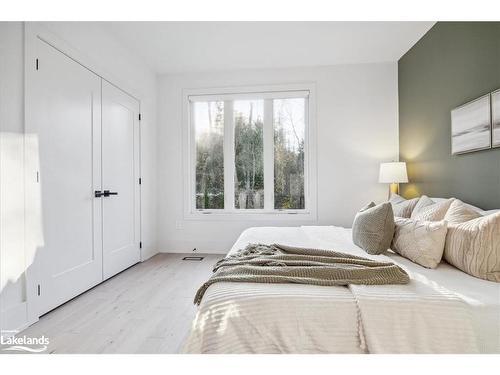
228,156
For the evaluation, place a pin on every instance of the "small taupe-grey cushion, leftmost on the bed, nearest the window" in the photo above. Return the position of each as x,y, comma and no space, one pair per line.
373,228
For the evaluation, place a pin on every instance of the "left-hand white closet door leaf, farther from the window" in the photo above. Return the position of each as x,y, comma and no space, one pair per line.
64,125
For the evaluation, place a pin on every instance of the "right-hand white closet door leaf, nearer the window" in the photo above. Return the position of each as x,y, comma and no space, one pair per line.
120,176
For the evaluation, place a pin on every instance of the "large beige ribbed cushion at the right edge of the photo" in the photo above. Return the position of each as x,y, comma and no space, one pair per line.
474,246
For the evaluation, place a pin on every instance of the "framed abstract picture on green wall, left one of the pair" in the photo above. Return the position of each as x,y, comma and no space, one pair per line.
471,126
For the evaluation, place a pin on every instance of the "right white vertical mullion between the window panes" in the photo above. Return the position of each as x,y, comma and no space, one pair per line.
268,156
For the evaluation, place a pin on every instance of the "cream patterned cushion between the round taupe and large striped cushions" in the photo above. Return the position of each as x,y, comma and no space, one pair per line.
420,241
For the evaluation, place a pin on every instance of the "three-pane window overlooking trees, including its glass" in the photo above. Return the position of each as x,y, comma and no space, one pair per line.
249,152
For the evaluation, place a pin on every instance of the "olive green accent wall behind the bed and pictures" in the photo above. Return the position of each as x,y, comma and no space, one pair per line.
452,64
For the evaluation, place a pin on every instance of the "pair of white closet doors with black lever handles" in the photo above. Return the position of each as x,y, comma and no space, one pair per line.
86,176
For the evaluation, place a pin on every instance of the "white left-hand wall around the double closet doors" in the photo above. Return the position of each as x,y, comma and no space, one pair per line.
93,43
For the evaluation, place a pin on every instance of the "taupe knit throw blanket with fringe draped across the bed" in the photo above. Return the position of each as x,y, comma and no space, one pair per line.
279,264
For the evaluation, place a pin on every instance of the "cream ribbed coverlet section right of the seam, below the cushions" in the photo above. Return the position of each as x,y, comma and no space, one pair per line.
419,318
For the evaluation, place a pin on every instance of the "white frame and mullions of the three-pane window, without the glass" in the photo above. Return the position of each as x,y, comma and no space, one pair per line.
268,93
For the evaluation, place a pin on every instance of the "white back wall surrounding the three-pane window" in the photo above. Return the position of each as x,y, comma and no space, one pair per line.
356,125
